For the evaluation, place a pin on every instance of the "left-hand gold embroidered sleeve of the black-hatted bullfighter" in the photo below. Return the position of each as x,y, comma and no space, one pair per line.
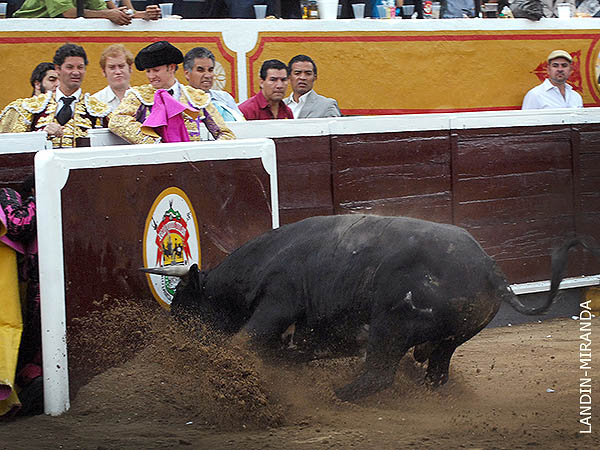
123,122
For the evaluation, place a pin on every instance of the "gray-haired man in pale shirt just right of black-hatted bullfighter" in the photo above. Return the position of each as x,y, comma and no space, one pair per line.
199,66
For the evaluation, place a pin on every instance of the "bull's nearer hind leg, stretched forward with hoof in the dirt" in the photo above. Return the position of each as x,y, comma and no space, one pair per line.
384,351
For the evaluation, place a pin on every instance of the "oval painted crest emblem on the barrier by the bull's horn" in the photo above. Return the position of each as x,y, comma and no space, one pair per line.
170,238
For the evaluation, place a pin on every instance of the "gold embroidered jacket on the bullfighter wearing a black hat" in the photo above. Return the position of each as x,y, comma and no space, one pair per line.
126,120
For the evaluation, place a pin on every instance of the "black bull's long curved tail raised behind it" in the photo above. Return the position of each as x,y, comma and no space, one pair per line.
560,258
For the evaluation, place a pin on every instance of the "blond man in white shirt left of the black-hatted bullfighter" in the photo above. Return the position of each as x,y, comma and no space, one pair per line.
116,62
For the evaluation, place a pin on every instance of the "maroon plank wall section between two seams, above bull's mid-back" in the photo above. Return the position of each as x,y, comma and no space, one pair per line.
403,174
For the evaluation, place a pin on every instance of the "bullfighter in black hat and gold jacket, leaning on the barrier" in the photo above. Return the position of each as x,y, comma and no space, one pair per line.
159,60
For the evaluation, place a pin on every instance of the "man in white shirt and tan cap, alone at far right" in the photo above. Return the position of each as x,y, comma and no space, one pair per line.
554,92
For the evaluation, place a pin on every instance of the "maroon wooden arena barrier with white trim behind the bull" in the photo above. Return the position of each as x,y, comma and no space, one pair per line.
518,181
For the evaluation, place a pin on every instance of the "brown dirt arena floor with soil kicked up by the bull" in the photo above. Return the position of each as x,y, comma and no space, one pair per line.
510,388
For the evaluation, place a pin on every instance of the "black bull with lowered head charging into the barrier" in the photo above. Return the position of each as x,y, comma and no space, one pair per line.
396,282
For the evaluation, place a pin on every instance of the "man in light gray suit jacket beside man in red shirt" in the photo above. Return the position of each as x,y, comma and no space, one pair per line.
304,101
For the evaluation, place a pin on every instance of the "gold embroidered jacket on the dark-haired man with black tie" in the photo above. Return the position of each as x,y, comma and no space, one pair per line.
34,113
